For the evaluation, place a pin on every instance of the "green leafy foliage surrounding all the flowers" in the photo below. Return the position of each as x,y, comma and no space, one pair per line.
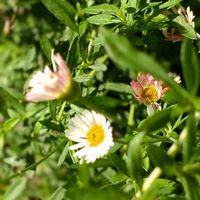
34,156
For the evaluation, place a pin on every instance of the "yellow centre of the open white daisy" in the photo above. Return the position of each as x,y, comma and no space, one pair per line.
95,135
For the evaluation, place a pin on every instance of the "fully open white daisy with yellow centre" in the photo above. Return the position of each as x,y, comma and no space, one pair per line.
92,134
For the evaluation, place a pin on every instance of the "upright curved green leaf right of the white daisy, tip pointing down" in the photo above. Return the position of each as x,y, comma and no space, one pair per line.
135,159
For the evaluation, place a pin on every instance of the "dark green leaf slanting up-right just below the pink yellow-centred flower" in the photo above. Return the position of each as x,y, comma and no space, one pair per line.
157,120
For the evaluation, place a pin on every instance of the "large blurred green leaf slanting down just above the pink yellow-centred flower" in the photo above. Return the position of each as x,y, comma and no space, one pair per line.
129,58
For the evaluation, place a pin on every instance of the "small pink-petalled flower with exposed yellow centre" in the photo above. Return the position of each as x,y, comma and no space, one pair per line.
148,90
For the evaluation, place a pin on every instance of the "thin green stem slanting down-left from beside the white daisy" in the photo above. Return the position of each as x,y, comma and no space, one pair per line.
32,166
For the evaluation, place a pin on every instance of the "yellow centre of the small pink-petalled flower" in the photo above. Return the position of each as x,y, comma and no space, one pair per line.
150,94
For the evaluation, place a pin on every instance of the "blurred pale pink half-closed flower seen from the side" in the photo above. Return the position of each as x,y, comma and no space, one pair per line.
50,85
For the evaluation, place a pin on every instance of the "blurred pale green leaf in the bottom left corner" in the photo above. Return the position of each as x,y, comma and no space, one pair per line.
16,189
